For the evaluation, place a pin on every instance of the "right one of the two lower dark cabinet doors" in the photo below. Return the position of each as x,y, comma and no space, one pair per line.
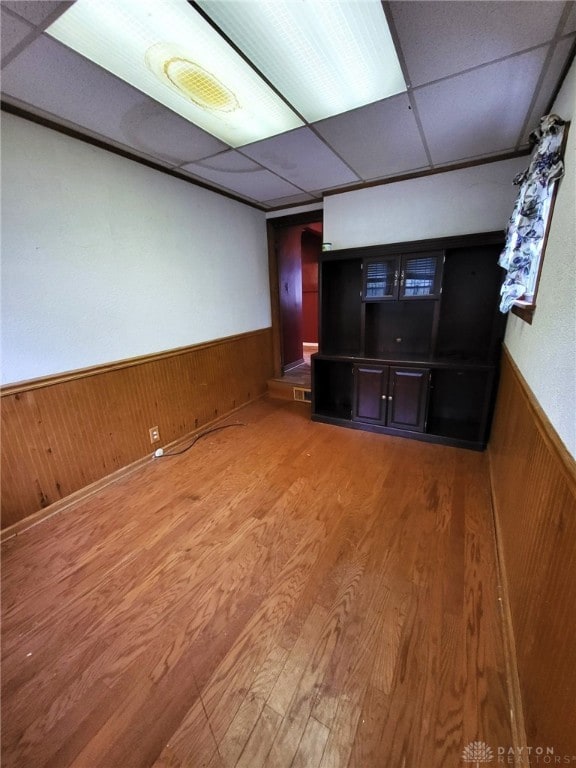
408,398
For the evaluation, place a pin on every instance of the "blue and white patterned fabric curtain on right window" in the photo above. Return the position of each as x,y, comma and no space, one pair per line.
527,225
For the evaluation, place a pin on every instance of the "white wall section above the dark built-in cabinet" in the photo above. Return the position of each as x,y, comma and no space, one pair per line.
470,200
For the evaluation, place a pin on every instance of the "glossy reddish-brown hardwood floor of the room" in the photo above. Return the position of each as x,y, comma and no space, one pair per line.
285,593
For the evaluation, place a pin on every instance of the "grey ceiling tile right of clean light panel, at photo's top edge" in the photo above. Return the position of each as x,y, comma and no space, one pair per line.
472,33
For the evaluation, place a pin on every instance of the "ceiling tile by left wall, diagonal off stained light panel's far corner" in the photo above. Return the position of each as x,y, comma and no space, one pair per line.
237,173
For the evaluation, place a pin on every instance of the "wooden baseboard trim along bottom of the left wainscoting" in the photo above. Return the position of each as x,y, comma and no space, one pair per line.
90,490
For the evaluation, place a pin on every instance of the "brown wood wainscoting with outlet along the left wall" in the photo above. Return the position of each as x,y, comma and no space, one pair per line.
62,433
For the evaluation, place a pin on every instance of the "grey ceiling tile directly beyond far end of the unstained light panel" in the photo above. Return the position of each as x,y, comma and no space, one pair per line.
378,140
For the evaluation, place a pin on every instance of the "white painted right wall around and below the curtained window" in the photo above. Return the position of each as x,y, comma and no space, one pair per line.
545,351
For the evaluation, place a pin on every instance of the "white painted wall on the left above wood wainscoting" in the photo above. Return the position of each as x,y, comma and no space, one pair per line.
105,259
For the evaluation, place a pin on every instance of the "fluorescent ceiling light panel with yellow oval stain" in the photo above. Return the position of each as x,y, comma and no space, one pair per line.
168,51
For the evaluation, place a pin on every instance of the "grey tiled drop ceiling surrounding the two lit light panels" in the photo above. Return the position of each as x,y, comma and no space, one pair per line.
479,75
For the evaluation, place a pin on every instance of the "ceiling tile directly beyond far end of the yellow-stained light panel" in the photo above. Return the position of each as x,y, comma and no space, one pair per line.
302,158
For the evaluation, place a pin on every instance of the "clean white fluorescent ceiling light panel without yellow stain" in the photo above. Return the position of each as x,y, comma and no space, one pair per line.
325,56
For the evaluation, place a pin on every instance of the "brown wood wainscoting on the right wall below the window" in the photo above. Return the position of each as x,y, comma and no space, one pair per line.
534,492
